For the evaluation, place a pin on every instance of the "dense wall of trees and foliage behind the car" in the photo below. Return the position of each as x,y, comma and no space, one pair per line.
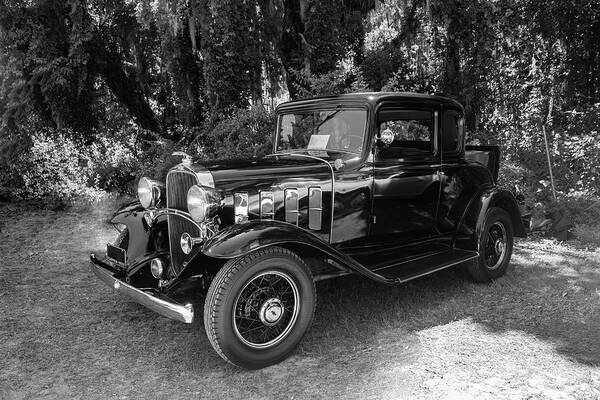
94,93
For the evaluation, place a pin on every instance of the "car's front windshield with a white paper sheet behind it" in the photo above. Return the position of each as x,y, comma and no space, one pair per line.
322,130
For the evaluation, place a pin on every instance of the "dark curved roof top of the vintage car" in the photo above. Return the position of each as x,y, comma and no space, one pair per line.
369,98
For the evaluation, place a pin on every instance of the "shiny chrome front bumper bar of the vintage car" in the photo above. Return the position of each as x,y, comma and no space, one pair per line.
167,308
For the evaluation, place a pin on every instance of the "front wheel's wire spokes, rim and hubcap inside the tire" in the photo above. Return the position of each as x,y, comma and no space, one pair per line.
275,298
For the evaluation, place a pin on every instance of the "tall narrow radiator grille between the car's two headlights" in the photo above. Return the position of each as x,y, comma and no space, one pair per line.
178,184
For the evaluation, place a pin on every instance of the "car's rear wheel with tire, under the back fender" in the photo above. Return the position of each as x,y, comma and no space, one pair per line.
495,246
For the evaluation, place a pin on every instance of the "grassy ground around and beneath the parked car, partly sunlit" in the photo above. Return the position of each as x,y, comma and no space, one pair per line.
534,334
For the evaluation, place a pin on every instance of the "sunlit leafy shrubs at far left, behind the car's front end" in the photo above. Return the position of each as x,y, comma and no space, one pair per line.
54,168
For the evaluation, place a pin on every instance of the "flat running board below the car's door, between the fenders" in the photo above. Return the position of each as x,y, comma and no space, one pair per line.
407,270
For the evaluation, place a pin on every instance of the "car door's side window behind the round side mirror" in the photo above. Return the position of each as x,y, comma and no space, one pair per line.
412,130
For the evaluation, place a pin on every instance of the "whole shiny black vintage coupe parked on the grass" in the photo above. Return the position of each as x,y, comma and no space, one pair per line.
374,184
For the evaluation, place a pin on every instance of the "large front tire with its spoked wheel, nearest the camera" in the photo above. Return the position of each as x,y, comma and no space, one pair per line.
259,306
